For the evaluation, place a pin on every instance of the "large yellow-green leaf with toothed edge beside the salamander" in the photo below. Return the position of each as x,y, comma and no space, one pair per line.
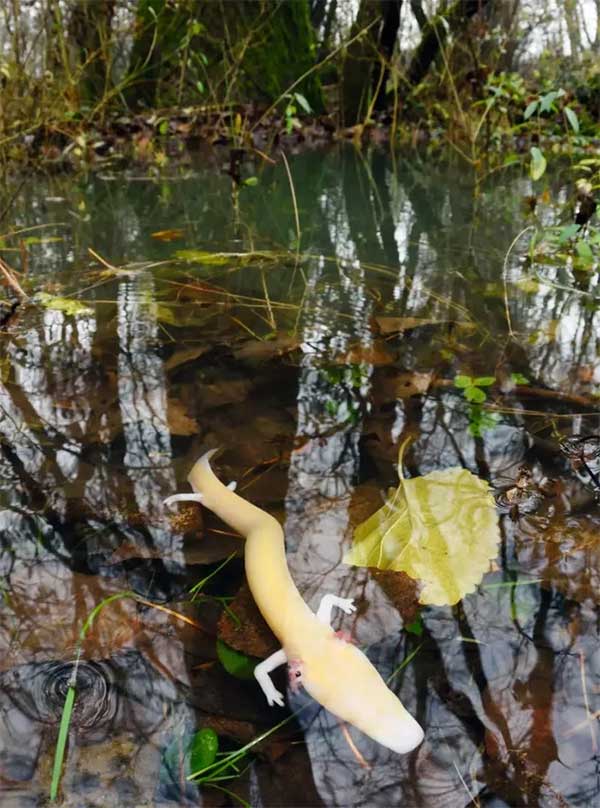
440,529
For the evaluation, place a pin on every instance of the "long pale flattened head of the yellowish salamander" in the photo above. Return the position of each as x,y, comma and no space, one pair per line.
348,685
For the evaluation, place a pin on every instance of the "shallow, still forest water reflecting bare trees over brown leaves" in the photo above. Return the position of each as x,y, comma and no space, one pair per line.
307,348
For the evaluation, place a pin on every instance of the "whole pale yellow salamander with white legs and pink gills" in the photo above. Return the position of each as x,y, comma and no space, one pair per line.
334,672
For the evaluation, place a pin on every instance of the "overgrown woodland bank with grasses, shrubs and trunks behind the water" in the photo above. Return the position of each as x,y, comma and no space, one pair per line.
86,82
